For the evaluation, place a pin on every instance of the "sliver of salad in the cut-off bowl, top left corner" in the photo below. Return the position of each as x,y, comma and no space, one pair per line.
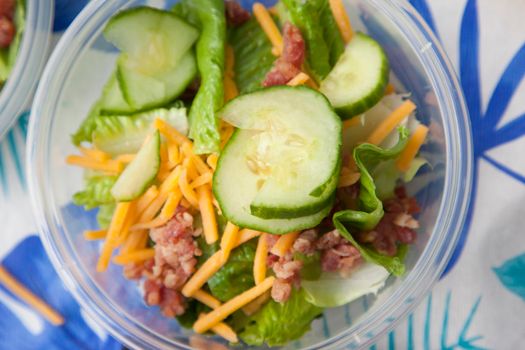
12,21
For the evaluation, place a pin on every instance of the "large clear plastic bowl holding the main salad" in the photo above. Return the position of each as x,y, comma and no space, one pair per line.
72,81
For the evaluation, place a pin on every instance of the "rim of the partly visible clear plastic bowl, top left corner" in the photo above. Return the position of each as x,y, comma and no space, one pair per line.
32,56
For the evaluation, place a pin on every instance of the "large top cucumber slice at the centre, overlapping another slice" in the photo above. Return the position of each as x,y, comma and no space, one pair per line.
293,151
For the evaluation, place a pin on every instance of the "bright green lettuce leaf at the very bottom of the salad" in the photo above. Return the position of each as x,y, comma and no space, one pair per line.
277,324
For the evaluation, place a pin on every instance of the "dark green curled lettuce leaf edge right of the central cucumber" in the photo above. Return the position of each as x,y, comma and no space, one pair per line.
367,158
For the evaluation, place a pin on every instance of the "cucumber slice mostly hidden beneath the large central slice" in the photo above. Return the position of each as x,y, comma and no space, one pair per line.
235,190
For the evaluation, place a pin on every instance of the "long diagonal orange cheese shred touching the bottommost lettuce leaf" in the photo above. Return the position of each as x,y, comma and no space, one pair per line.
219,314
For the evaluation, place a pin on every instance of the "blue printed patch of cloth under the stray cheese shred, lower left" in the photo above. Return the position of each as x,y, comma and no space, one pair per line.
29,264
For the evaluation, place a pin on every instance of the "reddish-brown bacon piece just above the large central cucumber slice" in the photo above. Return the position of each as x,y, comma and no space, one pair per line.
289,64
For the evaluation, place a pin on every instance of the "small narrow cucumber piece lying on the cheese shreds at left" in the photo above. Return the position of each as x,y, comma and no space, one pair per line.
140,173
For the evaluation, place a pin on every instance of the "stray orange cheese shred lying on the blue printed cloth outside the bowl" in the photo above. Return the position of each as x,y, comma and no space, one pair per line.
29,298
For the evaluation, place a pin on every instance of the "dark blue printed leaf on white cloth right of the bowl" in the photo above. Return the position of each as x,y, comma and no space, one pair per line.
486,136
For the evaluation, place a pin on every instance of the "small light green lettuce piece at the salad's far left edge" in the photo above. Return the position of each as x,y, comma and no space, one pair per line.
96,192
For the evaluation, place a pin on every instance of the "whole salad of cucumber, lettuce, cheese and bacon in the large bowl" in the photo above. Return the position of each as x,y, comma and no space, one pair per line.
249,167
